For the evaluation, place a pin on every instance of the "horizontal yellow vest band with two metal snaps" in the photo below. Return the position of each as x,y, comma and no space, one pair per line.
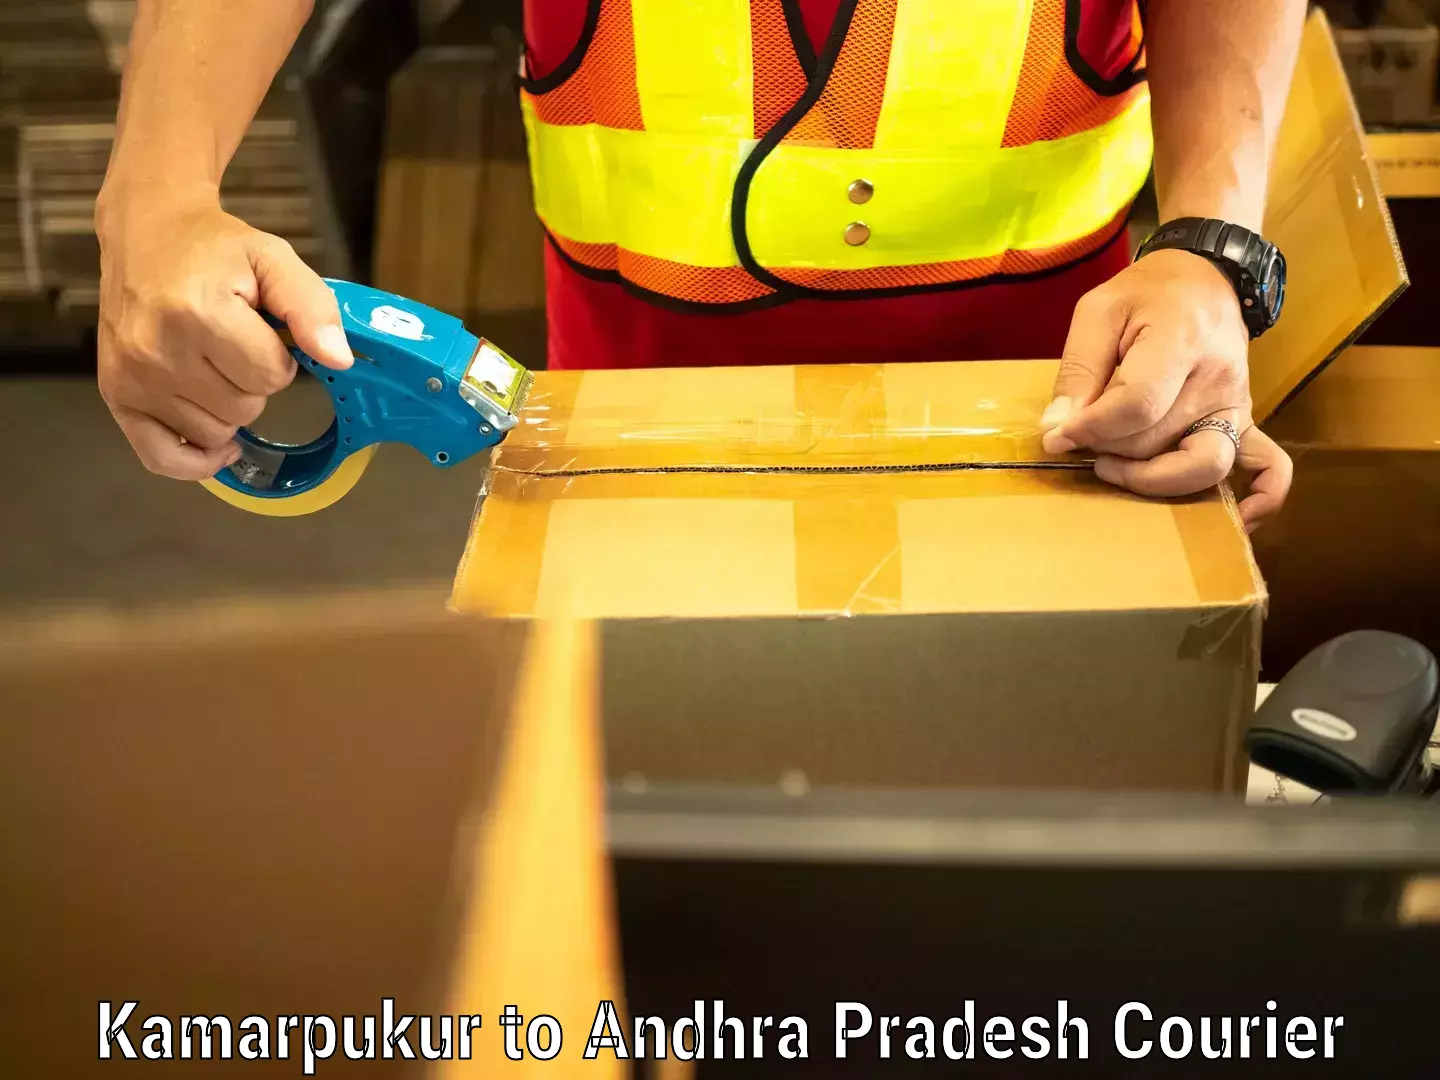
942,208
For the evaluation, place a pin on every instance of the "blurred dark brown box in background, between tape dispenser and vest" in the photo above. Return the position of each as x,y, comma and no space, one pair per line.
456,225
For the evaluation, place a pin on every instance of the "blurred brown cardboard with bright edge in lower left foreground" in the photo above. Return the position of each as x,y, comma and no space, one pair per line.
290,809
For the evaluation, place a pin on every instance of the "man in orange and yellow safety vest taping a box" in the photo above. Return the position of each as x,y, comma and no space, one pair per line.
775,182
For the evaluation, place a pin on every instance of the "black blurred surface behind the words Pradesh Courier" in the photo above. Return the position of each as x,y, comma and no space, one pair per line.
791,940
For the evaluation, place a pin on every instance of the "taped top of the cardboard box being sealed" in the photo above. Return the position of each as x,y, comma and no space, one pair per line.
786,510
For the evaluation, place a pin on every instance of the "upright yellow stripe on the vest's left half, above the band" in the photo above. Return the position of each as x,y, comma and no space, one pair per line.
688,90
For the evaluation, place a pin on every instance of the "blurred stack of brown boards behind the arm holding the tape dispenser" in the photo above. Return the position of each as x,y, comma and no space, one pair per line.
60,89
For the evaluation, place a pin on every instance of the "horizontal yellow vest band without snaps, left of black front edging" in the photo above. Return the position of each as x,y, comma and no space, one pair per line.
662,195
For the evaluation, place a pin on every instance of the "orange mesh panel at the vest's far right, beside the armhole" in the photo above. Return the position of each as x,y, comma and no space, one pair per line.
1050,100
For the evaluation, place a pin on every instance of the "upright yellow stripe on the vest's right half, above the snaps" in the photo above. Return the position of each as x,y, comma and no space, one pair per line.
953,73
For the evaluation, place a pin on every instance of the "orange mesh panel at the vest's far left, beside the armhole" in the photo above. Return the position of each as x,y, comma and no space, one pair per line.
604,89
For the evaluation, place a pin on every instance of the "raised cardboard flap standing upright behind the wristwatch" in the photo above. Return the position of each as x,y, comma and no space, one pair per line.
1327,214
